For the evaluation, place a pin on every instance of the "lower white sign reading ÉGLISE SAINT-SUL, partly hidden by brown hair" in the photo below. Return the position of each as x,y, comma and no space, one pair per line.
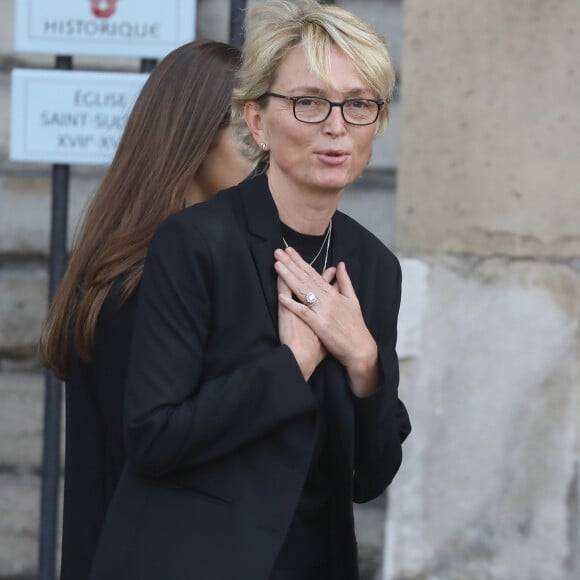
70,116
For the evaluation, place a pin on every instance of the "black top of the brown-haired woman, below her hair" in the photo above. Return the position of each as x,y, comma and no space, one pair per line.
94,450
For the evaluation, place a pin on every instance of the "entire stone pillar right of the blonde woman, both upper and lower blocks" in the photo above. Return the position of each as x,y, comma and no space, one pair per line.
489,203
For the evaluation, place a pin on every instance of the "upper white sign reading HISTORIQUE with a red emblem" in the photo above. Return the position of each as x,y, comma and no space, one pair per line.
142,28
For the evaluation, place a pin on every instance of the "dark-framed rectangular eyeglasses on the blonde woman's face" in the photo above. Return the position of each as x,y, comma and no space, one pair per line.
318,109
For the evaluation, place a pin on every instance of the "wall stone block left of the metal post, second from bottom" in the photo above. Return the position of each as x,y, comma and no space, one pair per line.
21,419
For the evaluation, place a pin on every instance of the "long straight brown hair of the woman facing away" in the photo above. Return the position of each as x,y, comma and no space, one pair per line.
174,122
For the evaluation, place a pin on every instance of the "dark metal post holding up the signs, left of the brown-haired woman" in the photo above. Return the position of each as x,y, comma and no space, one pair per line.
53,388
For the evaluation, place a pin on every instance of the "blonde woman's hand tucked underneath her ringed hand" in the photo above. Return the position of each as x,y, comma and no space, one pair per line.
298,336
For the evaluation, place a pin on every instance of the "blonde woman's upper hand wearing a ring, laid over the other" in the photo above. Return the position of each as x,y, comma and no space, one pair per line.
335,317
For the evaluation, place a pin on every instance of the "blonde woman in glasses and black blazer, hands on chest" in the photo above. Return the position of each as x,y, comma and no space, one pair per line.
262,390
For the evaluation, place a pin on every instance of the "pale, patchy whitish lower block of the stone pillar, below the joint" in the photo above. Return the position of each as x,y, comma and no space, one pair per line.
489,485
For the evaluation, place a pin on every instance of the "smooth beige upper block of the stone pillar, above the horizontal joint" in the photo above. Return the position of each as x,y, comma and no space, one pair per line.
490,150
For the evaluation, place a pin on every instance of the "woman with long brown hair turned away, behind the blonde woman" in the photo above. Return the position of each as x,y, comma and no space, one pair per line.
175,146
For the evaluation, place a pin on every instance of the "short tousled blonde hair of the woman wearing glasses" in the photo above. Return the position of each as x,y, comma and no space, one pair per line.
276,27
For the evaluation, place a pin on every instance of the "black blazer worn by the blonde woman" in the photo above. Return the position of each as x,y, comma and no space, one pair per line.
220,422
